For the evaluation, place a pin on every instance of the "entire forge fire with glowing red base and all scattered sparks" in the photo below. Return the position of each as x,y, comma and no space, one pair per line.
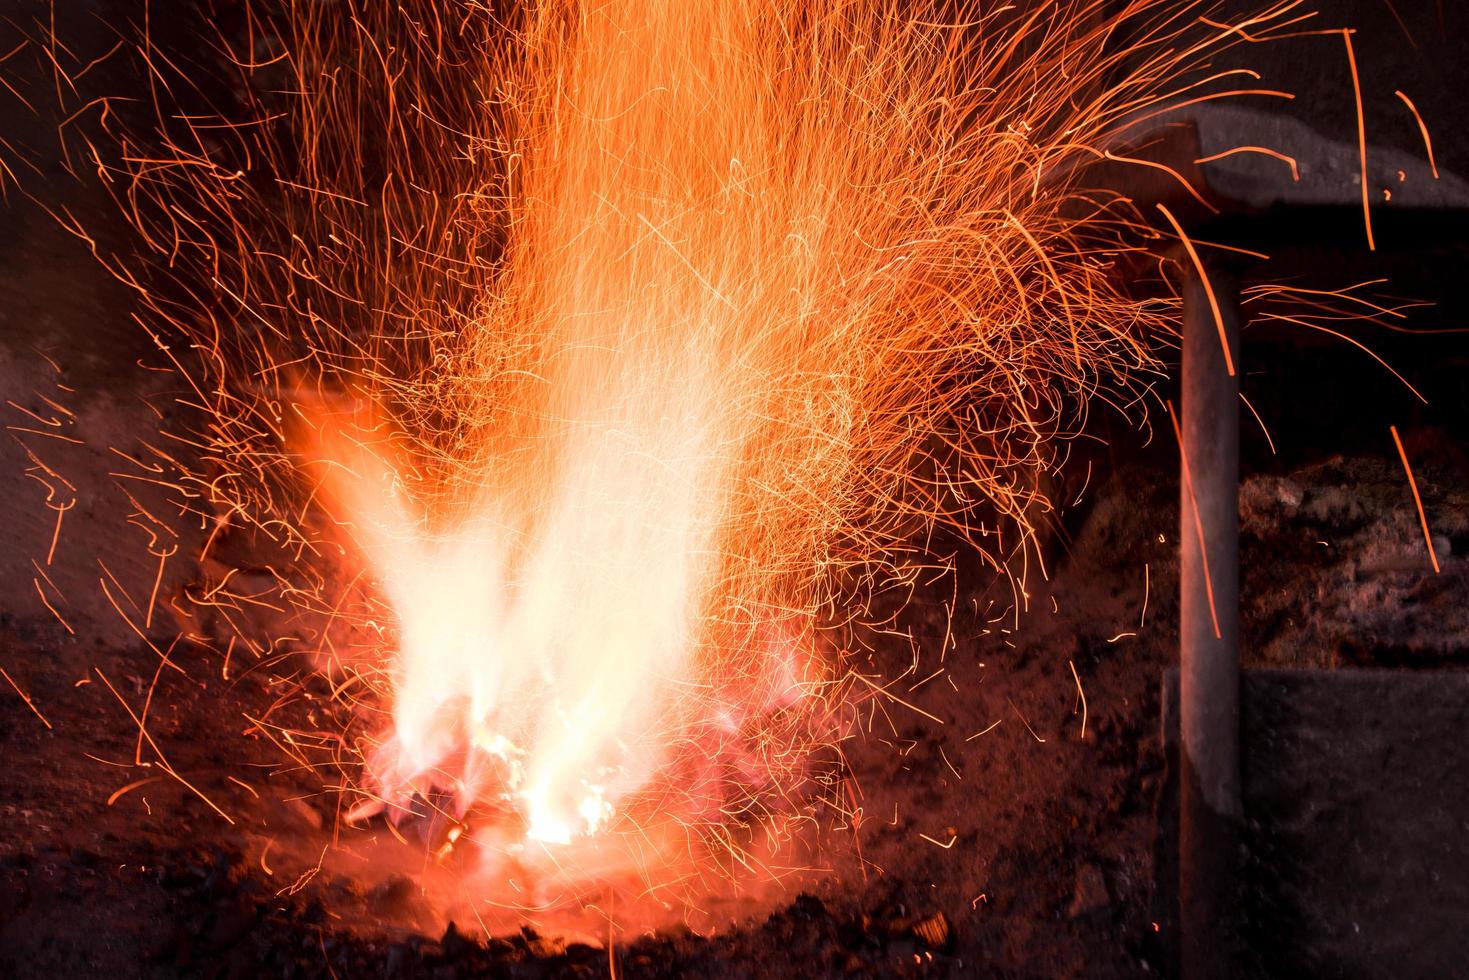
597,422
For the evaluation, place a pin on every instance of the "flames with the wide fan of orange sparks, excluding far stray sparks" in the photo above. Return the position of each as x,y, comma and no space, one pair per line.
578,378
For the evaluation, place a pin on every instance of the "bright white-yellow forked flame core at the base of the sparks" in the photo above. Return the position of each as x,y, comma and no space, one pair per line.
547,646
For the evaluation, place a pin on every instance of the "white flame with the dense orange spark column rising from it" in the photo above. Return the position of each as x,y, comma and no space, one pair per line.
731,239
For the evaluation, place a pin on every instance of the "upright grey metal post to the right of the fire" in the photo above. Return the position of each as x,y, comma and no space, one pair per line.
1210,633
